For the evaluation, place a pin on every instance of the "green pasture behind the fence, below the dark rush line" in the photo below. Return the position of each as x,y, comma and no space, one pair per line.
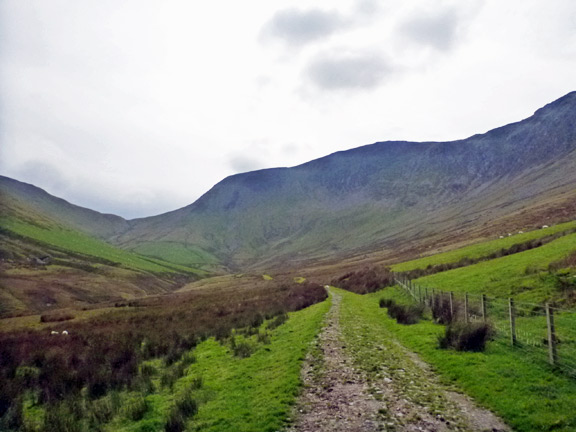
514,275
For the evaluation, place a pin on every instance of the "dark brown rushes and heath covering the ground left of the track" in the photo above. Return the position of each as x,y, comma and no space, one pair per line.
79,381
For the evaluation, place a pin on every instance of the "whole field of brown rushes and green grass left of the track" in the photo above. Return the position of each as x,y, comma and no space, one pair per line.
172,358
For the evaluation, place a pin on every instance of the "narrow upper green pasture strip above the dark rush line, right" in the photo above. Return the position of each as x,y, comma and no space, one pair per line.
481,249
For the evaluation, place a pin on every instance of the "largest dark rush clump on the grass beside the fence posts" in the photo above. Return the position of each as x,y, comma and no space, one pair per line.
466,336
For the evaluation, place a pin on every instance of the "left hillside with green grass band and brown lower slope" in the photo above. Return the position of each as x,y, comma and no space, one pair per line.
53,255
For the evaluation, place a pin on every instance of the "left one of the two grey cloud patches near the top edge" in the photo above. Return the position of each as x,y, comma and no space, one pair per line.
297,27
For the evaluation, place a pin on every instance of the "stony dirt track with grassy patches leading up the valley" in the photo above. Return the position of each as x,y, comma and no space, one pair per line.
340,397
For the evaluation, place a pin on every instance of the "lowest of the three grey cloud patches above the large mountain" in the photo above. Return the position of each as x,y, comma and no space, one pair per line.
348,71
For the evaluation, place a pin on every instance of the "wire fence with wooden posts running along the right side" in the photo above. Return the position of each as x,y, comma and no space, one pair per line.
543,330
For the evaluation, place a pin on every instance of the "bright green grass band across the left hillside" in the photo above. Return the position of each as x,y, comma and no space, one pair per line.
77,242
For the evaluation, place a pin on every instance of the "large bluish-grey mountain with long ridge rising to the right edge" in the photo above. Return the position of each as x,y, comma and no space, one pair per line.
381,196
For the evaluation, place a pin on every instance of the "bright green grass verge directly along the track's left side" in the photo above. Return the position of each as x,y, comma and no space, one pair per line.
242,394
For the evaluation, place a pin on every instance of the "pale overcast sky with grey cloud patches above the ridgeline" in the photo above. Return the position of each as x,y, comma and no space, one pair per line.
138,107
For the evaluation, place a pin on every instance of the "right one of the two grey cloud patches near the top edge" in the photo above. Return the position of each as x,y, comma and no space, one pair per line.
437,30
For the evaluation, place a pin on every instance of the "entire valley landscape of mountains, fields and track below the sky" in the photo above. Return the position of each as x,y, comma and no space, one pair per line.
293,298
